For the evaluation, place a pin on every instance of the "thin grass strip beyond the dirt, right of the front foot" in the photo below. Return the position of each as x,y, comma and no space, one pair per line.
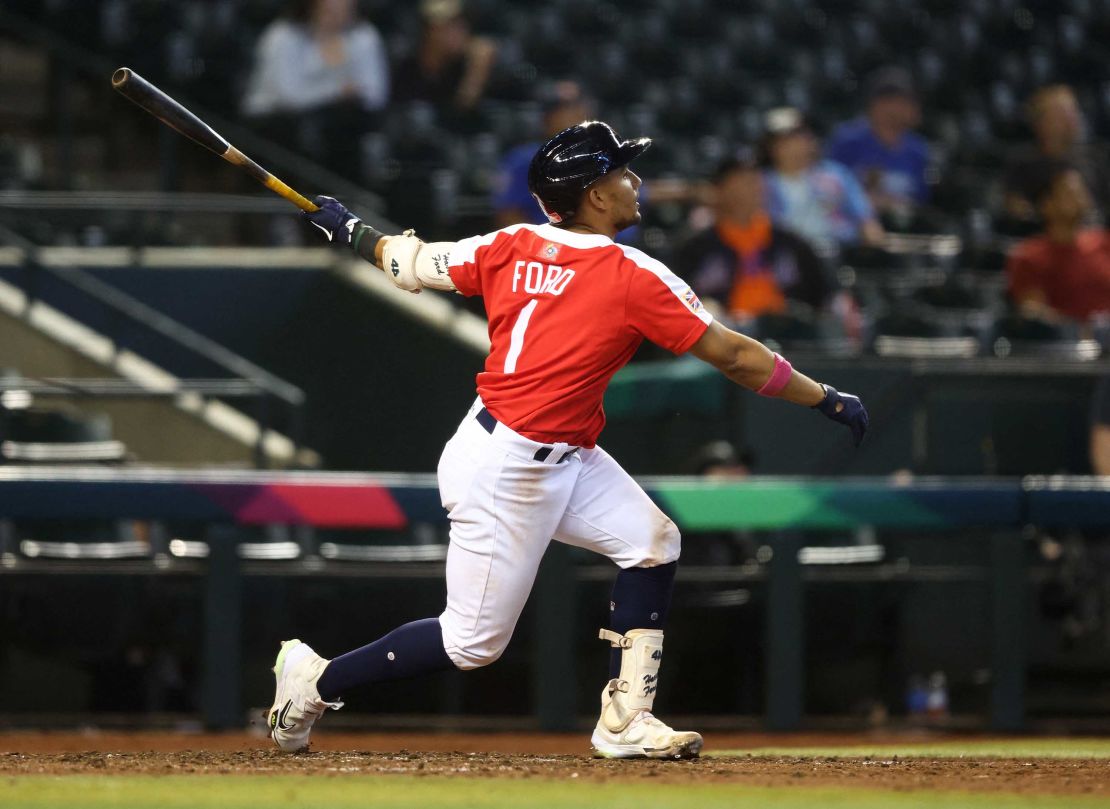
1008,749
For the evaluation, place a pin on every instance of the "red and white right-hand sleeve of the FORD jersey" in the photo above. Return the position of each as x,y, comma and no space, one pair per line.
662,307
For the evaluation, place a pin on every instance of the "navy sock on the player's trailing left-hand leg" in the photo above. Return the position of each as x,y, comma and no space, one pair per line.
409,651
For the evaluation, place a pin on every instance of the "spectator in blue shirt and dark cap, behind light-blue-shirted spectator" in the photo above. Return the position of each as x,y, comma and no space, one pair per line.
882,149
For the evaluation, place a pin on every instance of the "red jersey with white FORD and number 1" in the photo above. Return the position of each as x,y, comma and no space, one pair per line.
567,312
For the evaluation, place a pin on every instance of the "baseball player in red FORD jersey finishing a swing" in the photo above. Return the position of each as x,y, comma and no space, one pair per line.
568,309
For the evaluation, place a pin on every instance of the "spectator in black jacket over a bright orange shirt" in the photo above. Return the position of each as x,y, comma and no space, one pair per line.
744,266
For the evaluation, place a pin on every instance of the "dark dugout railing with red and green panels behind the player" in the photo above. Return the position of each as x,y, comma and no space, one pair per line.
230,502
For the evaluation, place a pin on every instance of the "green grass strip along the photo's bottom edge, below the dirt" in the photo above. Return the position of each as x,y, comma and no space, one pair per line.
340,792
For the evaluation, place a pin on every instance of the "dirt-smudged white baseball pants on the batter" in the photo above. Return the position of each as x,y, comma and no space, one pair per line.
506,508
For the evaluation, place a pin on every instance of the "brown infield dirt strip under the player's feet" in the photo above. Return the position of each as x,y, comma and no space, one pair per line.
537,756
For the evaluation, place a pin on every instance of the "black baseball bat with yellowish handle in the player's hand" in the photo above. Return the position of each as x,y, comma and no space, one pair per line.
170,113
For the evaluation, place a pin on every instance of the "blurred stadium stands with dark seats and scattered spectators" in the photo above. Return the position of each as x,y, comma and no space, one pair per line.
760,203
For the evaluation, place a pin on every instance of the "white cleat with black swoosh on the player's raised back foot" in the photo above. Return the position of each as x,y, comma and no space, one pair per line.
297,702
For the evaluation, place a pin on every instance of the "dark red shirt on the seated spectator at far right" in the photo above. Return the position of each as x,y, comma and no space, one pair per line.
1075,279
